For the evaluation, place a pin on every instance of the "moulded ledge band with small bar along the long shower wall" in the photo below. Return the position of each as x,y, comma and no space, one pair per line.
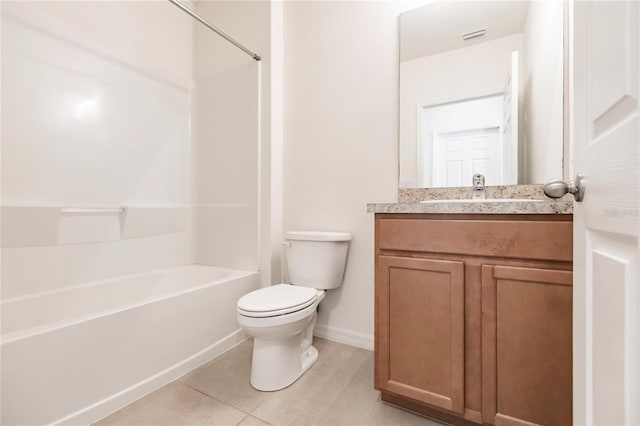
47,225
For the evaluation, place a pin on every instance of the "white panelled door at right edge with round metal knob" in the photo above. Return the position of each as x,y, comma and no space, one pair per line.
606,140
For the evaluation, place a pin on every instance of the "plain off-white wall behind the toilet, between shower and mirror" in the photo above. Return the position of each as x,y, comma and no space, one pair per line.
341,139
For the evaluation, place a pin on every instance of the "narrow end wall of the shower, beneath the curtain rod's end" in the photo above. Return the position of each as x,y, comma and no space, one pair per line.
226,108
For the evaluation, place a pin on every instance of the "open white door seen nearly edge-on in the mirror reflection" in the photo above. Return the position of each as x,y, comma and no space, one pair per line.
510,123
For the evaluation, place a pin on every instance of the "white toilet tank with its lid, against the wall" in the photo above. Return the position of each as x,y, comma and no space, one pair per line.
316,259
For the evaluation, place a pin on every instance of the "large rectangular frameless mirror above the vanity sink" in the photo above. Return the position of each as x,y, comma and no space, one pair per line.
481,91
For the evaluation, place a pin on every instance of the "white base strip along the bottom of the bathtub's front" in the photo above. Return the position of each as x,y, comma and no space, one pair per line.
123,398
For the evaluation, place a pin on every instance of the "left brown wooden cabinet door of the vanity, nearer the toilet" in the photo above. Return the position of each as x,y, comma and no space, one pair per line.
420,330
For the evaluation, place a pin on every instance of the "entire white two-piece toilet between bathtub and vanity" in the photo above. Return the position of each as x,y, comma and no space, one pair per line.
281,317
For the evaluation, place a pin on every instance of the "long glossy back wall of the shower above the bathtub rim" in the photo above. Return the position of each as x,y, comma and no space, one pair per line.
95,114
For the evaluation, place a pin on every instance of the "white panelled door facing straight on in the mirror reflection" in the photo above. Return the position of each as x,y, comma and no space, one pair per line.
459,155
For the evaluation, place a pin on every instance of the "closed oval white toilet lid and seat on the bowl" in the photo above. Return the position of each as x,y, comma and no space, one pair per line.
276,300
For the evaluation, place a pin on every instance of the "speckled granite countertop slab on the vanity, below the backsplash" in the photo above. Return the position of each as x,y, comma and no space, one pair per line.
475,207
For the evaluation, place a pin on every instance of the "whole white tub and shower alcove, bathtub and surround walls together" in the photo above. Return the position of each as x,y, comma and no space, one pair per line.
130,201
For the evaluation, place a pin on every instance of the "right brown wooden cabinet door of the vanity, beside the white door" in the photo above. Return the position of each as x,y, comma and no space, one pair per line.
526,346
